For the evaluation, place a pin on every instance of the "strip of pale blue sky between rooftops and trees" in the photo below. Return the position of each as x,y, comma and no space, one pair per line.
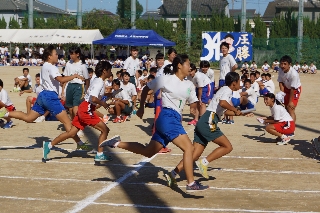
111,5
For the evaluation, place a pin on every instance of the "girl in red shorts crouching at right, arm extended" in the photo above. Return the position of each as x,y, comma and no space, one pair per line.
280,123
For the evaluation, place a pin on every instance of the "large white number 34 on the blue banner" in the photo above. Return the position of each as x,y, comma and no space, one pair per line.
212,46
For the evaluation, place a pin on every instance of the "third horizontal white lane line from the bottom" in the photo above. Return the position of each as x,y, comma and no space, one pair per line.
171,167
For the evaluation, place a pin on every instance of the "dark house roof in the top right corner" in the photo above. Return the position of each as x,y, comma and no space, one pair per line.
272,7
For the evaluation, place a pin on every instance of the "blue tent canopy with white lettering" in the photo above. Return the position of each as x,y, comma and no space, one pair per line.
134,37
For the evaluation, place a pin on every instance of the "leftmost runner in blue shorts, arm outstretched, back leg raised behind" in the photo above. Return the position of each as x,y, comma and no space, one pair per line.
48,99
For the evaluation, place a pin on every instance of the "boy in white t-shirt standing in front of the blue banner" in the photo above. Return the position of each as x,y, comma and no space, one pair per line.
227,63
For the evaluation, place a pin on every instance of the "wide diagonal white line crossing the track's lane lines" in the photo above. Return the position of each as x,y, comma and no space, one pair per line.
90,199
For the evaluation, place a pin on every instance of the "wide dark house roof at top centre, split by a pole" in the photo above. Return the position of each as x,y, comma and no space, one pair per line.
198,7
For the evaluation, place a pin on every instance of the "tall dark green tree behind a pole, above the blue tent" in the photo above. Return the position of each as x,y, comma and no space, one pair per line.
124,9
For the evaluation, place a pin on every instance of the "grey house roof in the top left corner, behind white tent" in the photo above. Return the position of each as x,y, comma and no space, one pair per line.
22,5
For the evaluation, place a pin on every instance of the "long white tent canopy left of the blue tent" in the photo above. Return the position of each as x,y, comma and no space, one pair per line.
49,36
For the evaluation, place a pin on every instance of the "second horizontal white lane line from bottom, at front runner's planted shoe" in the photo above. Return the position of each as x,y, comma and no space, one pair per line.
157,184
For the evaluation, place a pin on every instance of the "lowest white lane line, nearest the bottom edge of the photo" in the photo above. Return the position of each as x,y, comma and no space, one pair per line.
154,207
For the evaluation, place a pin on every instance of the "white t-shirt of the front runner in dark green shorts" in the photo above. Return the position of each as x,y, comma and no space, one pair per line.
224,93
